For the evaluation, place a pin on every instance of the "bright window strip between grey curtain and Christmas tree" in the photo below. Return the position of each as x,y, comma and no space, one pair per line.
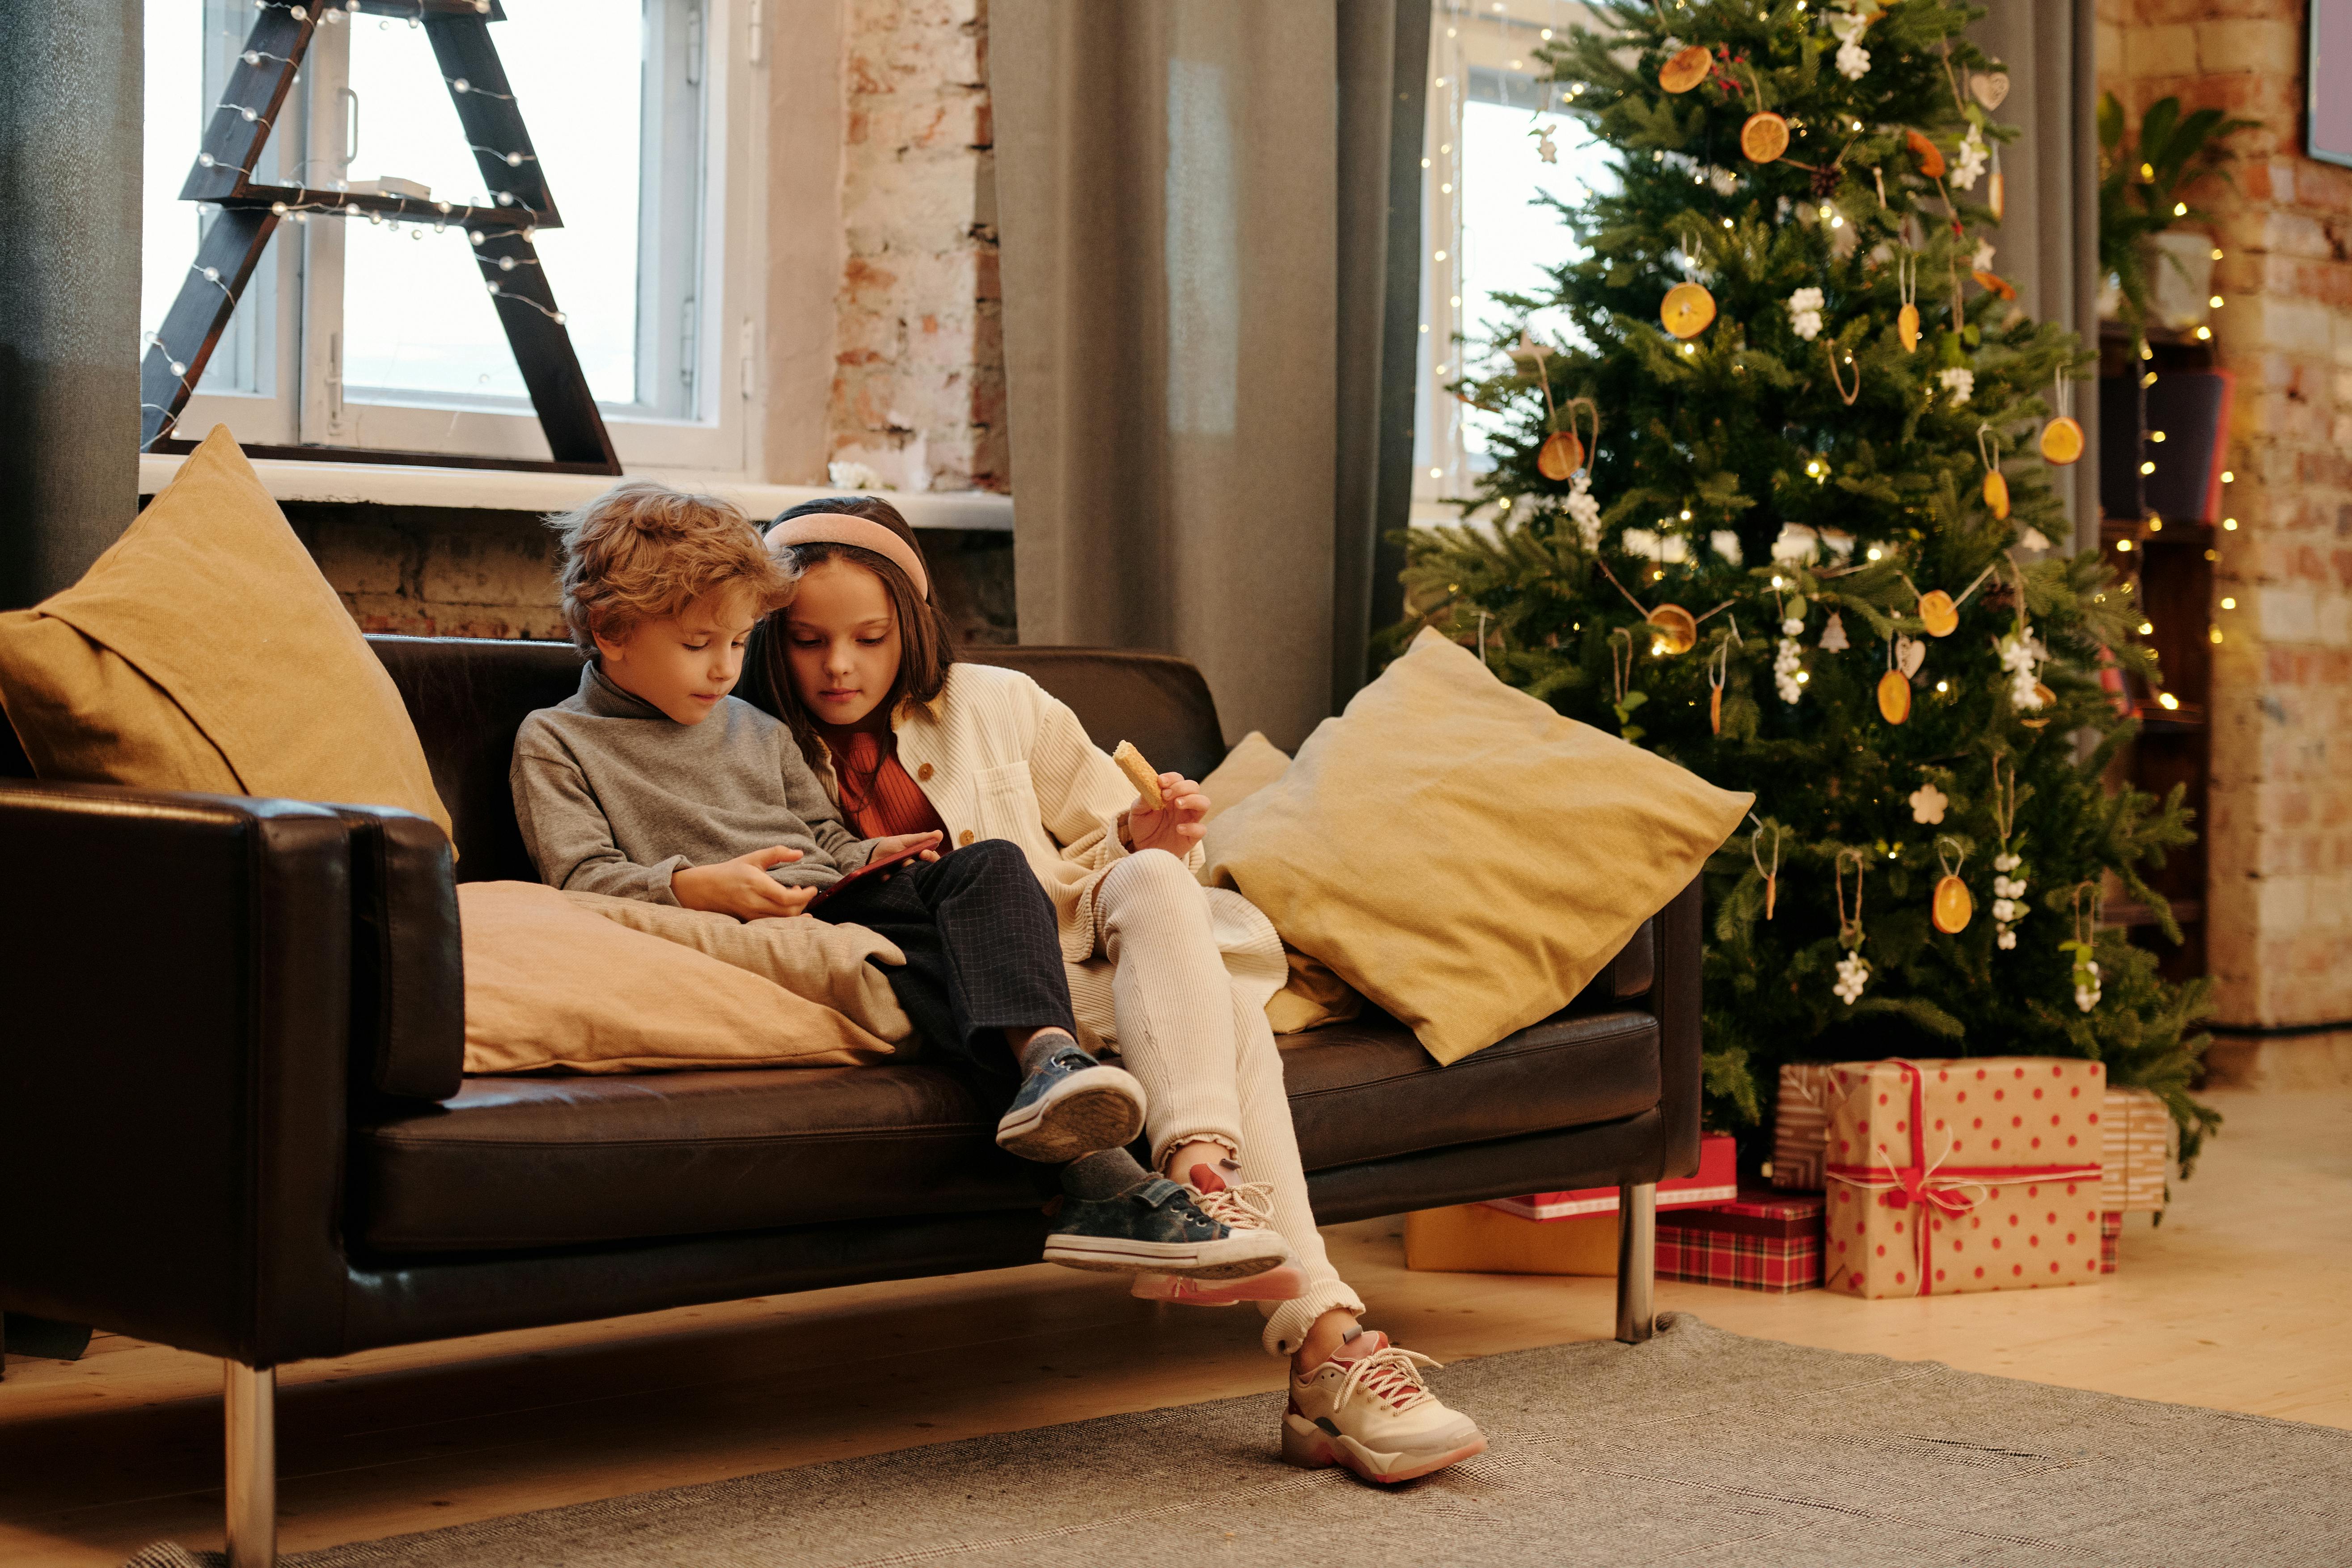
1485,225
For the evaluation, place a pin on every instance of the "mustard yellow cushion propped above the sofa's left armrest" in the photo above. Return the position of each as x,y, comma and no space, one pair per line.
206,652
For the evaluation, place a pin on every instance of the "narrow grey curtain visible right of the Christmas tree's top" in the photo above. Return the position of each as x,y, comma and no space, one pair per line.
2050,234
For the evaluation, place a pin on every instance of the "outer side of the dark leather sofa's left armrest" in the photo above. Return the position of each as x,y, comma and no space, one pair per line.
175,974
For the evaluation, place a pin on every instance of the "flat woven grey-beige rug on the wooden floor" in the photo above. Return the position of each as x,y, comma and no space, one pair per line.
1697,1447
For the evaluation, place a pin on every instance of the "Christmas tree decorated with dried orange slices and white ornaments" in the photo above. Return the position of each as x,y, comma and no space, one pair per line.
1779,507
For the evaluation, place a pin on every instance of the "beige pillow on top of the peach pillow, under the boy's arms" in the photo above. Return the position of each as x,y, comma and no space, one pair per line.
808,958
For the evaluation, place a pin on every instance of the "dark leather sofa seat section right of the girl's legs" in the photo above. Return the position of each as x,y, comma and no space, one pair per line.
1368,1090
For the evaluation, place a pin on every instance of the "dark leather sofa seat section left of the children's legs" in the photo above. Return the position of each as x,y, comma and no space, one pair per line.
526,1162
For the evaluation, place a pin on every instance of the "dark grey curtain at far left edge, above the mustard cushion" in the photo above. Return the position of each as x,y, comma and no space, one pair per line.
69,288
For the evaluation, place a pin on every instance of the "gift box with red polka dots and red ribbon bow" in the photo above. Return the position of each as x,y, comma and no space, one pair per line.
1963,1177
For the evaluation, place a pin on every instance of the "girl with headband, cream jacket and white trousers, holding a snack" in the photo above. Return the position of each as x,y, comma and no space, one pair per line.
1170,974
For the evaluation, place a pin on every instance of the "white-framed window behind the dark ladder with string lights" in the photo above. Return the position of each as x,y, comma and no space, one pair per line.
382,335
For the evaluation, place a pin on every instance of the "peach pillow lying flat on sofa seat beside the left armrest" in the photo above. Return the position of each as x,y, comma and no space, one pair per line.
556,986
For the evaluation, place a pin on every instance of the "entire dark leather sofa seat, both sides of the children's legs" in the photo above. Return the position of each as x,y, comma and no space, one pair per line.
544,1162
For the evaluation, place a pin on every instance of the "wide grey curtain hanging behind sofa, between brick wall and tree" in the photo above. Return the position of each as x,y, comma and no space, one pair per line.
1196,215
